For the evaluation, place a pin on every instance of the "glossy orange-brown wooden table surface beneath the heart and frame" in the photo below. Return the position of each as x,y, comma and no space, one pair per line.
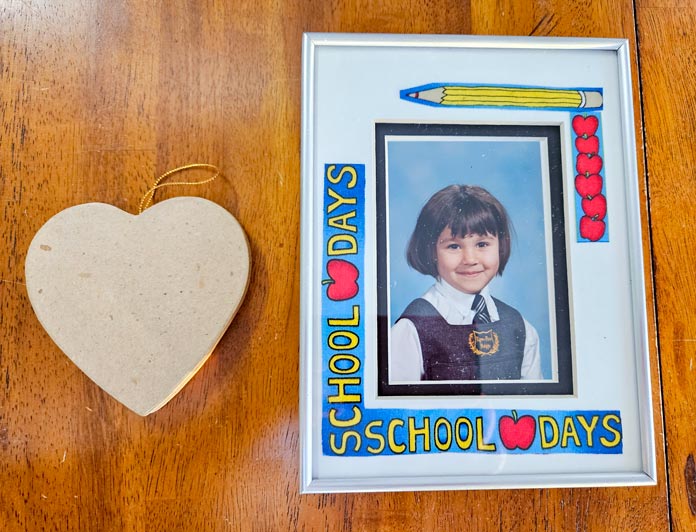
98,98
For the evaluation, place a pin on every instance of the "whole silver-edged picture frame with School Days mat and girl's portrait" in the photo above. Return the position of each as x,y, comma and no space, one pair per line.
473,307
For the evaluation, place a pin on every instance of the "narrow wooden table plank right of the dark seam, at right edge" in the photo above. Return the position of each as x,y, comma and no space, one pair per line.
668,78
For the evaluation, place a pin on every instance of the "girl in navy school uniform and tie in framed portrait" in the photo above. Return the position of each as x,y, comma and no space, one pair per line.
457,330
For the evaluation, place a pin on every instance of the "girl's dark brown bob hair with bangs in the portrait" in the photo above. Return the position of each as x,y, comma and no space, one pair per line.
467,210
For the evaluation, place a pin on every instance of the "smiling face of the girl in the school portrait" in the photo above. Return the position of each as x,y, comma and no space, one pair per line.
467,263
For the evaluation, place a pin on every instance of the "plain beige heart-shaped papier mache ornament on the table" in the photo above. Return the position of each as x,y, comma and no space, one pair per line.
138,302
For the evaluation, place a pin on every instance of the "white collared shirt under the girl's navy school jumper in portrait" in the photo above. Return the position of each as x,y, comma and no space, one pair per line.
405,356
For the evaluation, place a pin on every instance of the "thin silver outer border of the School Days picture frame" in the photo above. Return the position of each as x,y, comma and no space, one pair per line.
309,484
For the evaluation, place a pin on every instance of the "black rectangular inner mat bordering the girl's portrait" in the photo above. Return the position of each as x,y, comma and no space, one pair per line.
564,363
